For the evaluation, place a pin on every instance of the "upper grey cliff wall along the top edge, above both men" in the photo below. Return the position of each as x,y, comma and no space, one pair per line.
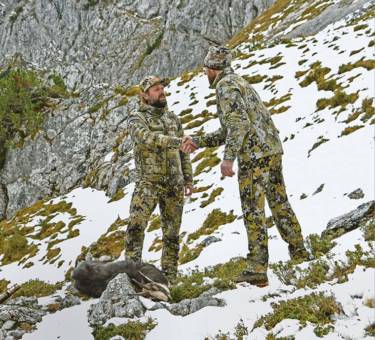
90,42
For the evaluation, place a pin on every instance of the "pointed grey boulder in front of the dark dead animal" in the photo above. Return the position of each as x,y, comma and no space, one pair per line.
118,300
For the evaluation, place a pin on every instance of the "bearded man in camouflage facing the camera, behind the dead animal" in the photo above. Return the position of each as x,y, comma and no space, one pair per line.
164,174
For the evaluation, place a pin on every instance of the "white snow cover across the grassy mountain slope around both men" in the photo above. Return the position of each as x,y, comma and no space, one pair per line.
320,89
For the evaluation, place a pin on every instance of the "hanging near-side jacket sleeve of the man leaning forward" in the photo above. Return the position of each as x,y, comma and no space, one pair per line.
235,118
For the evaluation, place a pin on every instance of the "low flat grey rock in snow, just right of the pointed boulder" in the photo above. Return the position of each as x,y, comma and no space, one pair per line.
188,306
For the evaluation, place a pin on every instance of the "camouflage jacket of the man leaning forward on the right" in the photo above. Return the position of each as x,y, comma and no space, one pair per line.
247,129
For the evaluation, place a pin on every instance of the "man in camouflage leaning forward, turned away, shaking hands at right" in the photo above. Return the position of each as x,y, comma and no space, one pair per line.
250,135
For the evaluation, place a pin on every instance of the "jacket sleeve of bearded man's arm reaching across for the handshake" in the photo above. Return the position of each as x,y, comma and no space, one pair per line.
140,133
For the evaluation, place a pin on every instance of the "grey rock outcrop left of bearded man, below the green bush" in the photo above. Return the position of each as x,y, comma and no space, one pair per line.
74,142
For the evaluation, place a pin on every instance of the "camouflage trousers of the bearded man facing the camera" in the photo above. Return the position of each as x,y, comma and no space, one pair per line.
145,197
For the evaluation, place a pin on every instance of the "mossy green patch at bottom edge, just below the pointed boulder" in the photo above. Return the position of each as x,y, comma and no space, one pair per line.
134,330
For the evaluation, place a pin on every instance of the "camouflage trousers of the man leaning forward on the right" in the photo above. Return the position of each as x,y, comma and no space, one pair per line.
262,179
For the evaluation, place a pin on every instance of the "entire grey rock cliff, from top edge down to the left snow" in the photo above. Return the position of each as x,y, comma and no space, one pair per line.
91,43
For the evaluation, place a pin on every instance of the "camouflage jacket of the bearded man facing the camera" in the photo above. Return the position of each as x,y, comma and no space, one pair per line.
156,135
